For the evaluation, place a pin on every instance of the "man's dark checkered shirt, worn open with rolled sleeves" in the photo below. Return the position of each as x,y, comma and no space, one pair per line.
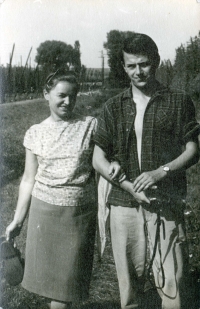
169,123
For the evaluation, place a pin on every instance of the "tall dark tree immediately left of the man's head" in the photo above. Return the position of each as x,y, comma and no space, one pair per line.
117,76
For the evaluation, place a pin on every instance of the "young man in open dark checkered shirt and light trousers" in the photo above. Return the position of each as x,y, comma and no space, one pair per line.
145,129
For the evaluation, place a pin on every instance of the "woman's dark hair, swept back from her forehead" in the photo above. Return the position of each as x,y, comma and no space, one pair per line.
61,75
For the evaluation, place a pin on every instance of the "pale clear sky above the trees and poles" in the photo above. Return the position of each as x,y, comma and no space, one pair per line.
28,23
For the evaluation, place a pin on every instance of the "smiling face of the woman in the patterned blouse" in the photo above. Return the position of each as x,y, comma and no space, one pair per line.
62,99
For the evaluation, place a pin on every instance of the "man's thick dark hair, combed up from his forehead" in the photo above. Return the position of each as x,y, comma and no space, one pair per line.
141,44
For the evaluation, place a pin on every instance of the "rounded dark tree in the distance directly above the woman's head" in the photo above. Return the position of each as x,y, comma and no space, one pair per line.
52,55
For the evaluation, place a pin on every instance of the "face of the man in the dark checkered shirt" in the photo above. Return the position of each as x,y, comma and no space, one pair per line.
138,68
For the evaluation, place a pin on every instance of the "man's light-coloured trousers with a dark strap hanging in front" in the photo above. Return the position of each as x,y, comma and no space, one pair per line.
132,229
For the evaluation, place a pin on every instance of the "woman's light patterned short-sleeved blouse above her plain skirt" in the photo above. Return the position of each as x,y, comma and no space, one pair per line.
64,152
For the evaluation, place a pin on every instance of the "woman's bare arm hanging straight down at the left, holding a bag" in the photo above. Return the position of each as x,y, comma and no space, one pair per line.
24,198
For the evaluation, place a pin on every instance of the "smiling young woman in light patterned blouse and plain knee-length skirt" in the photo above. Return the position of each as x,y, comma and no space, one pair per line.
58,185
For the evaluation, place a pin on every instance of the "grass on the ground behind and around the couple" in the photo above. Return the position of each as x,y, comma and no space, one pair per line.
16,118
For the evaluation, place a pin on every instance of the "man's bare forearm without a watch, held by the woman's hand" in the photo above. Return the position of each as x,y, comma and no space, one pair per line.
101,165
